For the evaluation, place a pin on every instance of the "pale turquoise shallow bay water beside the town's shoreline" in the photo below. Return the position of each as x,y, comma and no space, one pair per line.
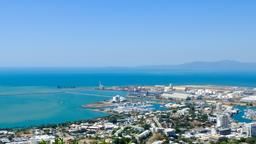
22,110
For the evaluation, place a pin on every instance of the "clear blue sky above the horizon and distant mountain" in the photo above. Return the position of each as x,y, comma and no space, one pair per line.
86,33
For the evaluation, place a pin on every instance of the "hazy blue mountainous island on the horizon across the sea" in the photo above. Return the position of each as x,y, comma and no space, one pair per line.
225,65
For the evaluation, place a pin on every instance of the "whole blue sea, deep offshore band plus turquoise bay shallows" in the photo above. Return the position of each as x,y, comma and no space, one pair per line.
31,97
